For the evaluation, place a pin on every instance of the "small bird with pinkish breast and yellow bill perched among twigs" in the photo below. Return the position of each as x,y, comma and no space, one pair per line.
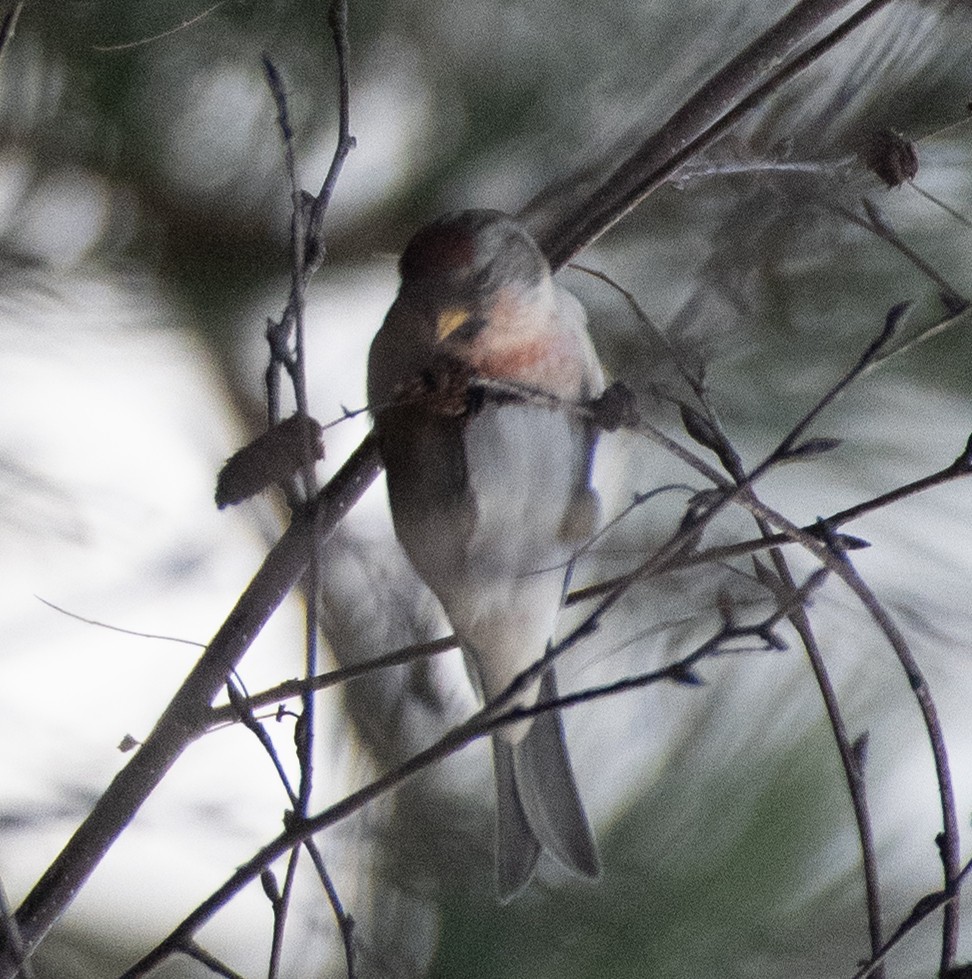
490,495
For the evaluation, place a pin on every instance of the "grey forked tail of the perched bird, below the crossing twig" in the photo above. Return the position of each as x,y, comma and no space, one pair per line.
538,806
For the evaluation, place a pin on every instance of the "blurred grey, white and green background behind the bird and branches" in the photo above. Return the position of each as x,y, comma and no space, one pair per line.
144,222
